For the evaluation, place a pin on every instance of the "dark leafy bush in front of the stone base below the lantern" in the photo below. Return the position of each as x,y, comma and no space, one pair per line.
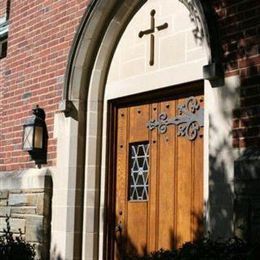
14,248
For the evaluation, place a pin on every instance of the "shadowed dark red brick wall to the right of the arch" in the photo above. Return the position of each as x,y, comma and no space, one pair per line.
239,23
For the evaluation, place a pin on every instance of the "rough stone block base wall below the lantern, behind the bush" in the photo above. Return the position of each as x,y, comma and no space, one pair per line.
25,196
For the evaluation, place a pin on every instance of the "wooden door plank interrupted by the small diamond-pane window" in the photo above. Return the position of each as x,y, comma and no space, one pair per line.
137,209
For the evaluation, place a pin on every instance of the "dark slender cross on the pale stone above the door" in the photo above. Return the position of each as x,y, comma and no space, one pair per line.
151,32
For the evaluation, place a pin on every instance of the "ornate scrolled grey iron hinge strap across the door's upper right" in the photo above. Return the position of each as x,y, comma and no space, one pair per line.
188,122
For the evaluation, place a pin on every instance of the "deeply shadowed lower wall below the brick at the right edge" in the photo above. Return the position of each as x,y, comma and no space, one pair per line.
247,200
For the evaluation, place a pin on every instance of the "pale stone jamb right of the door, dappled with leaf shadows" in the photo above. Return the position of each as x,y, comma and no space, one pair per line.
221,162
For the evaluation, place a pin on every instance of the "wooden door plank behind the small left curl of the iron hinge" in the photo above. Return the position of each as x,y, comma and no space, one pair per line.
166,181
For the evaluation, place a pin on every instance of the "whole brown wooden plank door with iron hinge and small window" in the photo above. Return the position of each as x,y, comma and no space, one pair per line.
158,172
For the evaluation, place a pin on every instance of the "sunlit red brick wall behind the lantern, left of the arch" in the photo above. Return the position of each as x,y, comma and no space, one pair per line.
40,37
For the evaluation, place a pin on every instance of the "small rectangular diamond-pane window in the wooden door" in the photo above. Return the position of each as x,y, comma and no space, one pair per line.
139,168
